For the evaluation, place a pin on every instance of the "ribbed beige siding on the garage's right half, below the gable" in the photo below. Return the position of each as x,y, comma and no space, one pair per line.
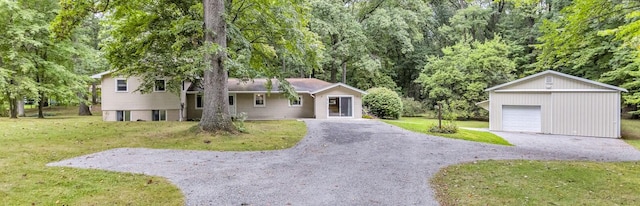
586,114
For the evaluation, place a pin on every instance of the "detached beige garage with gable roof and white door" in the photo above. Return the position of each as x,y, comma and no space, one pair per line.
551,102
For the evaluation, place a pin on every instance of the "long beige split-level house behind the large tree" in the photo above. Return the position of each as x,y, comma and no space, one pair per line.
317,99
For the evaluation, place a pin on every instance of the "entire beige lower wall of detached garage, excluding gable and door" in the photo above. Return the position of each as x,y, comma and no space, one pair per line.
578,113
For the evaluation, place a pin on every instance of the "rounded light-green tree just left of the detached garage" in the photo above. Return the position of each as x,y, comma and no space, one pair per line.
460,76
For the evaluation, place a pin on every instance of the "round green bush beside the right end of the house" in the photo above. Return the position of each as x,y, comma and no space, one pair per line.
383,103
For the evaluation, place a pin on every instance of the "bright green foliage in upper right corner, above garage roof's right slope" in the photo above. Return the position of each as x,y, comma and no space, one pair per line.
596,39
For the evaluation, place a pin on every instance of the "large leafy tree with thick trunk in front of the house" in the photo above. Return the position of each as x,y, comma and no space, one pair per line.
166,38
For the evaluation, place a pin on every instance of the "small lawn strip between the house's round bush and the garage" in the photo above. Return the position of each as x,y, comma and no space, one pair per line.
422,125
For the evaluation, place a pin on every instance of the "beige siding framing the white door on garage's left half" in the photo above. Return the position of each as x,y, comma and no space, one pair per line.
530,99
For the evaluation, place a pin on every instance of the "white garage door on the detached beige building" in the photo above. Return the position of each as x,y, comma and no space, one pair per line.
521,118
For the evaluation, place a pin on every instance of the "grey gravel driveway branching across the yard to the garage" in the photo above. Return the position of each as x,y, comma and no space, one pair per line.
339,162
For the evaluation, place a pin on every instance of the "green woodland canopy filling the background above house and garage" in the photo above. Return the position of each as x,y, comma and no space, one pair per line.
429,50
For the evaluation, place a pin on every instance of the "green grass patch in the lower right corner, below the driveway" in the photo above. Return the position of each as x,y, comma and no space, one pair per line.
538,183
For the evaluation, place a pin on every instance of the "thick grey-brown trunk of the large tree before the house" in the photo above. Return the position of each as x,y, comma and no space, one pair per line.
215,111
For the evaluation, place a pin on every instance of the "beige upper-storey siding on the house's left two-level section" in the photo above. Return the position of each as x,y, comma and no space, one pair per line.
130,100
